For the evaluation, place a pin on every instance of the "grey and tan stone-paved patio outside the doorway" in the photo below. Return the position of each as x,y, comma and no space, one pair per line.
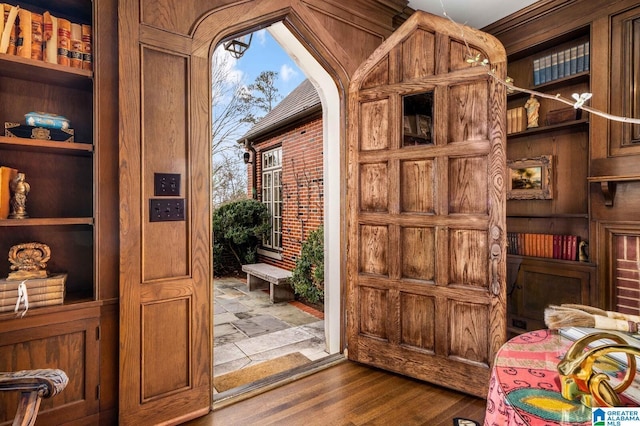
249,329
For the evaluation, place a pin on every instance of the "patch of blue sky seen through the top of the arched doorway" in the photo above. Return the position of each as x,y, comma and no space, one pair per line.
265,54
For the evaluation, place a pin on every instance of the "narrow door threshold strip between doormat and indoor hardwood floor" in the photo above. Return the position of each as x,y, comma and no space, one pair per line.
226,398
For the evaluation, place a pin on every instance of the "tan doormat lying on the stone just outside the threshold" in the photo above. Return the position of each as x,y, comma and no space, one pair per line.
259,371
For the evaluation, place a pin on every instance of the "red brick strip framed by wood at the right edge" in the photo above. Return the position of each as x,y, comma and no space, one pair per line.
627,273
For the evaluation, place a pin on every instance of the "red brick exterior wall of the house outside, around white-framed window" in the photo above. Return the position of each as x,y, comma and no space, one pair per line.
303,186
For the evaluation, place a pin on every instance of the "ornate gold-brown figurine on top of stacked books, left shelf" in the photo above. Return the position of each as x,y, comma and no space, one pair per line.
28,261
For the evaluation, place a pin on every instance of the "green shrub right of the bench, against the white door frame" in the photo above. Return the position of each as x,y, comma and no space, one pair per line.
308,274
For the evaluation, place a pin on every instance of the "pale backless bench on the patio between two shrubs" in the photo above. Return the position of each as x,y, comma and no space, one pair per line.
262,276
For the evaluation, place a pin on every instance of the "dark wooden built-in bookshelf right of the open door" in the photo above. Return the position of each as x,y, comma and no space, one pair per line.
548,237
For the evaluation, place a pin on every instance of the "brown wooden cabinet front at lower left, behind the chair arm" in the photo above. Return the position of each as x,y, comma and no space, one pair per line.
59,338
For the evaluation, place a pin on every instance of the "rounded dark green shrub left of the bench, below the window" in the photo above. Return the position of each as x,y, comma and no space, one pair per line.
238,229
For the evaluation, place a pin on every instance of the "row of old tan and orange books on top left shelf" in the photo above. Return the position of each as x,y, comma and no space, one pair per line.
43,37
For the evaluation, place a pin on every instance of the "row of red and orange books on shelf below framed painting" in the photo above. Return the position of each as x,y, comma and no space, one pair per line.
553,246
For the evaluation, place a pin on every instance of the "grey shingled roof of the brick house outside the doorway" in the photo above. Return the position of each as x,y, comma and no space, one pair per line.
300,103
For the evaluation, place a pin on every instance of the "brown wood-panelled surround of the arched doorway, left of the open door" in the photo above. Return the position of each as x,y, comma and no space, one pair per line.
166,290
